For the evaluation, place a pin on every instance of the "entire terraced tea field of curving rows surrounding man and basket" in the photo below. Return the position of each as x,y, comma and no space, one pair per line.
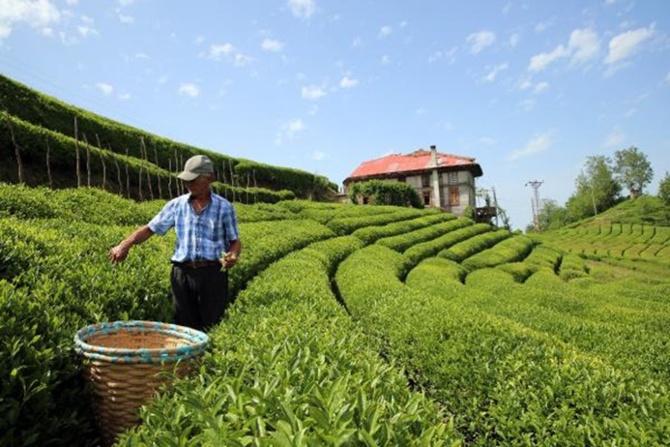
353,325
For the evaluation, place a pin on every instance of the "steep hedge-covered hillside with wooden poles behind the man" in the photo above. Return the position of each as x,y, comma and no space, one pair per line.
121,158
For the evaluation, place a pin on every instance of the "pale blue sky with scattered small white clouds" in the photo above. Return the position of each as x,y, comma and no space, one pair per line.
528,88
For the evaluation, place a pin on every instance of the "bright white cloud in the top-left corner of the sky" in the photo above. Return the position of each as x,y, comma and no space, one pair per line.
38,14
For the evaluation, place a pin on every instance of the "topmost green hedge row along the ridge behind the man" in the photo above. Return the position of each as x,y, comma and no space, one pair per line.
50,113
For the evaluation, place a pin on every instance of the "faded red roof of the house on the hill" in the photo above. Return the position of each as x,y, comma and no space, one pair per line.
419,160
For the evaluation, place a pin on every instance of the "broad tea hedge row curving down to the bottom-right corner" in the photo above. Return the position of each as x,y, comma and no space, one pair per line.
504,383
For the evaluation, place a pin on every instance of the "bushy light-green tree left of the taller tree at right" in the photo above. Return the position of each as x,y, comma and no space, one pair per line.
597,190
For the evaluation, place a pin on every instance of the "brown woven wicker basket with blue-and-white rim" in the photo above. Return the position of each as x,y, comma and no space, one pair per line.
127,361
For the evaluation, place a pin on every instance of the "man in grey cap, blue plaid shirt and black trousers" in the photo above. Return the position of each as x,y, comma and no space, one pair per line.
206,227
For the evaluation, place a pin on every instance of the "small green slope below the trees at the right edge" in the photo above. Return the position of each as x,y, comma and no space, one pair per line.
645,210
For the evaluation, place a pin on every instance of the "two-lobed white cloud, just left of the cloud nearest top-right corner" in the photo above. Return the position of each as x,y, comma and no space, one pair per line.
583,46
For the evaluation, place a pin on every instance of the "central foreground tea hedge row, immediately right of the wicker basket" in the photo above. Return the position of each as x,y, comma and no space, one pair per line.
289,367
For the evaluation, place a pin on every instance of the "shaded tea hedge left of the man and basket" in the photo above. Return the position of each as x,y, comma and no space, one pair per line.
55,279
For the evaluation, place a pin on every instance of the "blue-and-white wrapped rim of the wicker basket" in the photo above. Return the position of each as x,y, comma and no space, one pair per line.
198,341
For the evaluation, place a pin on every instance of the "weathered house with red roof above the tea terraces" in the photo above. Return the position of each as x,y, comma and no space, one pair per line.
441,180
